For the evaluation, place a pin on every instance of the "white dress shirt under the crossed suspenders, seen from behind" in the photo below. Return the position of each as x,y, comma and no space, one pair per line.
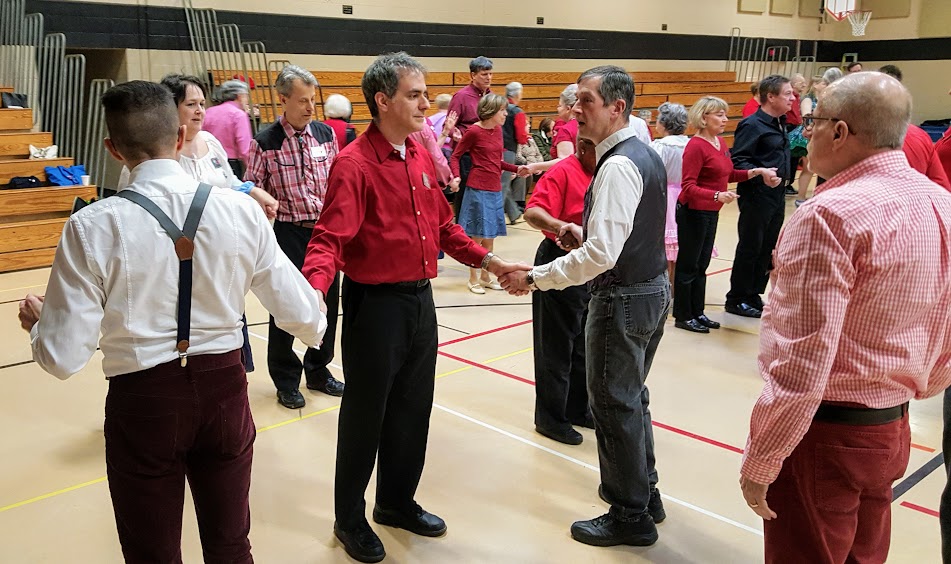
116,272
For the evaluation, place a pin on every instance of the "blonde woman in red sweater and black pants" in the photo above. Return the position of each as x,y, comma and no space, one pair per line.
707,169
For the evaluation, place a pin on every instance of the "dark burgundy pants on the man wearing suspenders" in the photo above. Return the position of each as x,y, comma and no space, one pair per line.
168,423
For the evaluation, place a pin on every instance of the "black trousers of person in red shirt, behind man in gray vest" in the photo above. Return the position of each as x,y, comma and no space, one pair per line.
558,320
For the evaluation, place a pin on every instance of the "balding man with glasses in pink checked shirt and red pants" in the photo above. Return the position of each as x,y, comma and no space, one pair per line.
856,326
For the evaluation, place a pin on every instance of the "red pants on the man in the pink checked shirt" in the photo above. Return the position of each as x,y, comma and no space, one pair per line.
833,496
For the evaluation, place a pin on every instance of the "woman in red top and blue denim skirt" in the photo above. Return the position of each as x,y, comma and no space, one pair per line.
481,213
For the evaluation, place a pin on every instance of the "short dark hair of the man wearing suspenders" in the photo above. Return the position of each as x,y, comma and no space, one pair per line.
142,119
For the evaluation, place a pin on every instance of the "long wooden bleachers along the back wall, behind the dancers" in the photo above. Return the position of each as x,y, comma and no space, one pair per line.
540,91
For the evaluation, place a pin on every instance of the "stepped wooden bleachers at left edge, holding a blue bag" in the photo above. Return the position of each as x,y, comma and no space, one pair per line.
31,219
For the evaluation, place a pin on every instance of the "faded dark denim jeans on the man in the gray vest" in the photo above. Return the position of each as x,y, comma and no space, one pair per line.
624,327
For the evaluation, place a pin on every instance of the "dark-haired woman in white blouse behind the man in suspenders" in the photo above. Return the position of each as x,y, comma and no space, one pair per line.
202,156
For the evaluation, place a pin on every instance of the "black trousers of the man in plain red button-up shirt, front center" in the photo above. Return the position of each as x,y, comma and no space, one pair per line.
389,356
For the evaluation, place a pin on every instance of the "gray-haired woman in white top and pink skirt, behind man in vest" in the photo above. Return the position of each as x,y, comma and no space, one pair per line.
670,144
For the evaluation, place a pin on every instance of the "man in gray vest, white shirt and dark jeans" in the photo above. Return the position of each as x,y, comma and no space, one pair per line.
622,259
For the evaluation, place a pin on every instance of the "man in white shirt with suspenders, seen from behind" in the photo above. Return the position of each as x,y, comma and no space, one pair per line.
168,302
